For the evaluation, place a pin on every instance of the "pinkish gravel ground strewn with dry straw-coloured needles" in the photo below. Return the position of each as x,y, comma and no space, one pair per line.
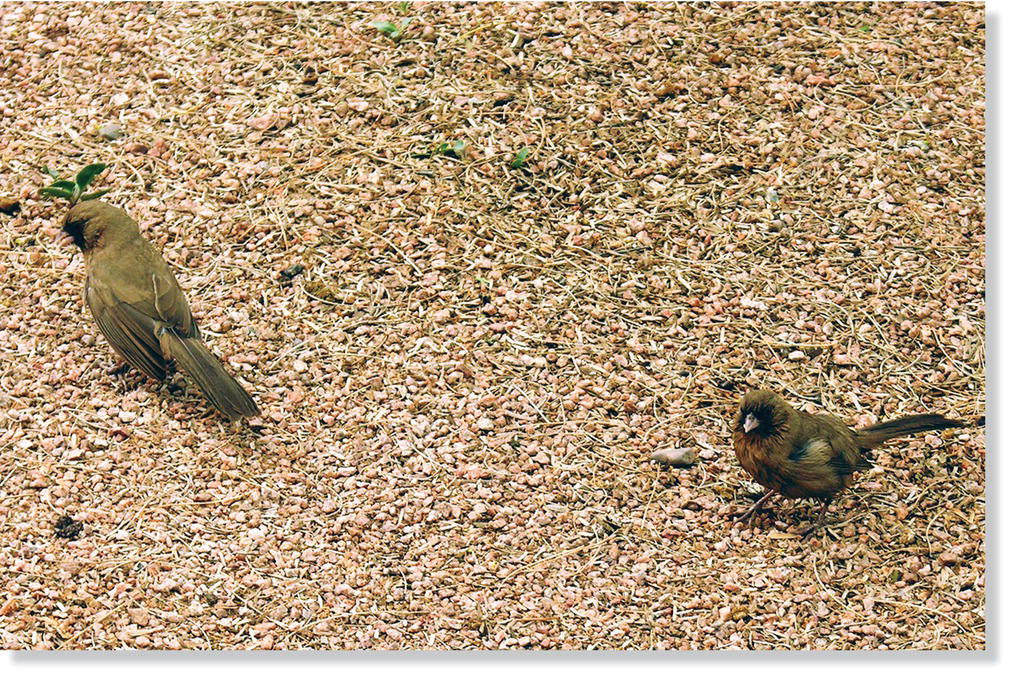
465,380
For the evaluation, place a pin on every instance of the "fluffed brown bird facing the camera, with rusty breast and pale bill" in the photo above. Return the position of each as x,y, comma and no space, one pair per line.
797,455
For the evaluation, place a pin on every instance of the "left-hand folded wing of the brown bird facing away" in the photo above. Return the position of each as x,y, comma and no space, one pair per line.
128,333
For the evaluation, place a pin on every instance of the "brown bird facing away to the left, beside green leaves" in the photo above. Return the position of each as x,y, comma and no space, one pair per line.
140,309
